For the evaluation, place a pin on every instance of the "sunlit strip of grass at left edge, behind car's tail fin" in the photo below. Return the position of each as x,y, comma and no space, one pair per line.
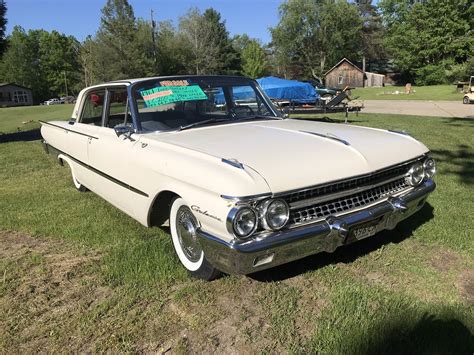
14,119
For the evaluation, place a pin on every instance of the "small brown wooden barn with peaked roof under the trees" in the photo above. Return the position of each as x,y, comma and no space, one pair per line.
343,74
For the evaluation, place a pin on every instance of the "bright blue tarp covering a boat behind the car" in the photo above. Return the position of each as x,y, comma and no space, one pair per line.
292,90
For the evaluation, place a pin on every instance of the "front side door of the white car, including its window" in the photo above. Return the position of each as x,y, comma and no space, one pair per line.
113,157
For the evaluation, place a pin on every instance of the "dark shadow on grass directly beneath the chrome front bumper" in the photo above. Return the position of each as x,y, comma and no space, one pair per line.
349,253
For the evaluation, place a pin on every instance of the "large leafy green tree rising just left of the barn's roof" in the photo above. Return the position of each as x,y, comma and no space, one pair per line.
314,34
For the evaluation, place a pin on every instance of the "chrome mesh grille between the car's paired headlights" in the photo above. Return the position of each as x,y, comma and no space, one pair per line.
346,203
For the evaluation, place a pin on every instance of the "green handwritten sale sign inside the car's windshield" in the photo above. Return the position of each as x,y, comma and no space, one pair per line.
164,95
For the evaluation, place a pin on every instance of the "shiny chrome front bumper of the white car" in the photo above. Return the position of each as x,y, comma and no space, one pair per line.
288,245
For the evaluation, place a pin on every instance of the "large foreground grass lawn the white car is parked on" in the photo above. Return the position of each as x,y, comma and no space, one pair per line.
78,274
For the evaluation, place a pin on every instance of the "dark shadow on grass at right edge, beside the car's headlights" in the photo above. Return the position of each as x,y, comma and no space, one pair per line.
462,159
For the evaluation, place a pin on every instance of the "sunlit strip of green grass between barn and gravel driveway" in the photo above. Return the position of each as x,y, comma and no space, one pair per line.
433,93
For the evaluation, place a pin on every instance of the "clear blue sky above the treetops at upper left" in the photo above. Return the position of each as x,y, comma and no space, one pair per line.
82,17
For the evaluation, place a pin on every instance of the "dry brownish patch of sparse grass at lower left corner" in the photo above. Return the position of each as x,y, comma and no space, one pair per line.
44,282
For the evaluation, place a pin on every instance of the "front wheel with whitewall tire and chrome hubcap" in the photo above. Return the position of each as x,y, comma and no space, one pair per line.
183,226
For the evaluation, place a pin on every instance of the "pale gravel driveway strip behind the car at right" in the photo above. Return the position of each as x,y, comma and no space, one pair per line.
420,108
